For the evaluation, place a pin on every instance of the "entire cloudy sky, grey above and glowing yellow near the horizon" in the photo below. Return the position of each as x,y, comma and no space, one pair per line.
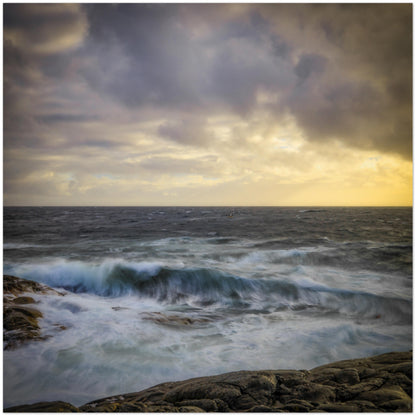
207,104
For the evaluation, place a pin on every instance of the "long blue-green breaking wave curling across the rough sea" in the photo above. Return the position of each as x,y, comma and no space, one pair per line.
204,287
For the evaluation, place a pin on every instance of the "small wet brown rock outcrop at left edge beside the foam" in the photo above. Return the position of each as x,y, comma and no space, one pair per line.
20,321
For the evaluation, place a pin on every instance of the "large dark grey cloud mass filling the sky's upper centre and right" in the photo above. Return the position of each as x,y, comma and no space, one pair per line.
355,88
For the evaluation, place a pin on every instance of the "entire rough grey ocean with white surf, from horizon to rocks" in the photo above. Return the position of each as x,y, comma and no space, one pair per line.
156,294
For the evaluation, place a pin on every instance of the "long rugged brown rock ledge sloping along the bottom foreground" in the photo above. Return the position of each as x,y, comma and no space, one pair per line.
377,384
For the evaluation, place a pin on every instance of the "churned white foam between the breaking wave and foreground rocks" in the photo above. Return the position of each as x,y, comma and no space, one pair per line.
111,346
